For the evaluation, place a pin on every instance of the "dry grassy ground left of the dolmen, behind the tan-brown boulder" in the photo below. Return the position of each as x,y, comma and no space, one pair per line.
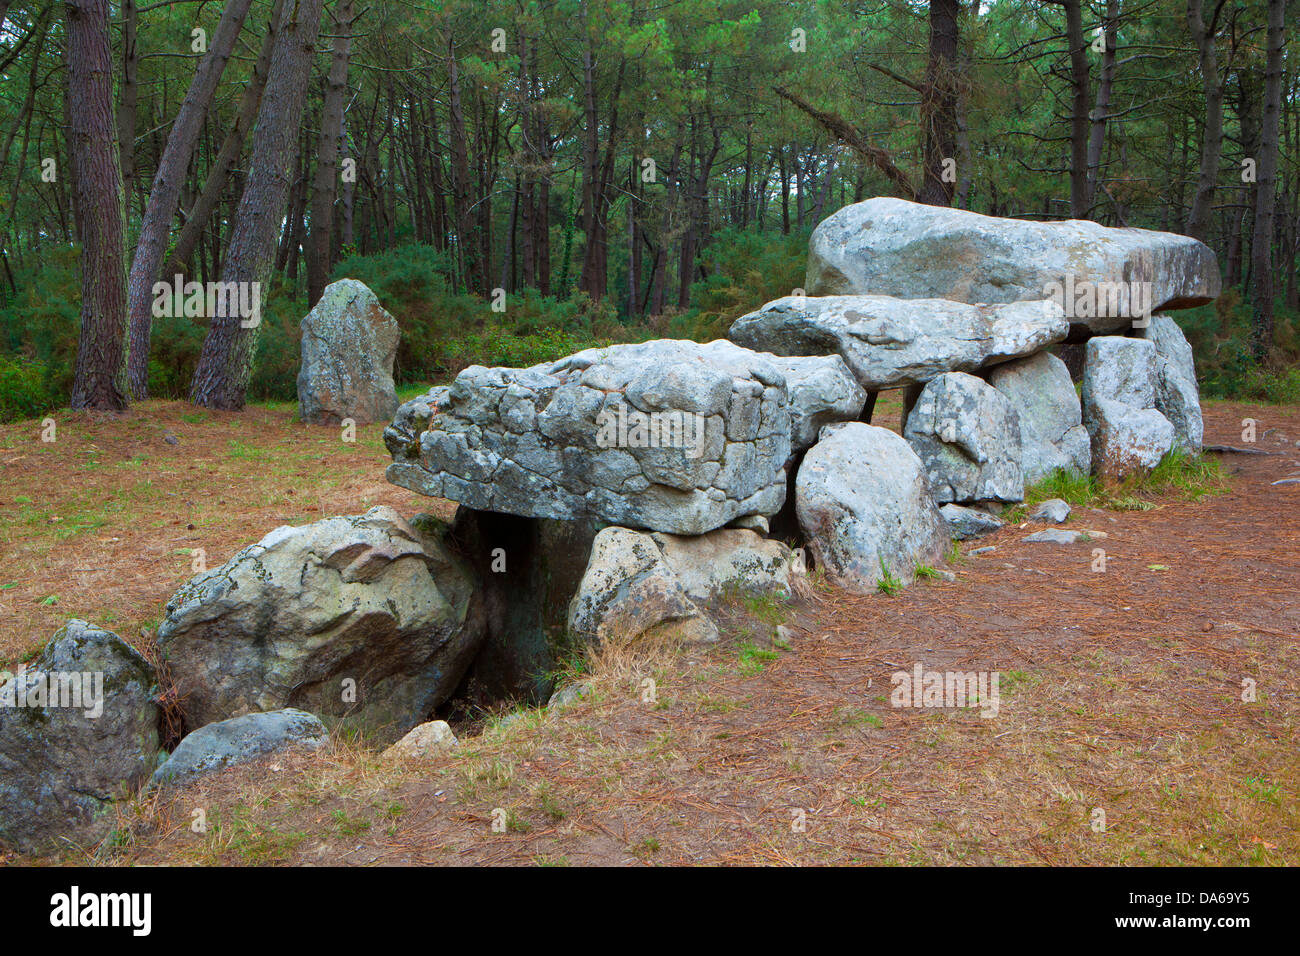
105,522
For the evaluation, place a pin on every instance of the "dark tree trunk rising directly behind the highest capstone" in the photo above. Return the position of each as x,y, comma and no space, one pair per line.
939,103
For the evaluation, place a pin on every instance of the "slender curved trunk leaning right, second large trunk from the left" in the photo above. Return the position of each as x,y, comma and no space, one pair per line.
167,189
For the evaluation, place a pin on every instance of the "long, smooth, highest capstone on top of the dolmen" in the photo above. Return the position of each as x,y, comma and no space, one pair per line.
915,252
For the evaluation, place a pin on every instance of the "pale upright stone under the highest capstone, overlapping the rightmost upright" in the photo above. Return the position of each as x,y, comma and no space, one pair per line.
1129,435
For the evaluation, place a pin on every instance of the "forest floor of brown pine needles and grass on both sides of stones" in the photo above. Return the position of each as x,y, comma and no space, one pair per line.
1121,734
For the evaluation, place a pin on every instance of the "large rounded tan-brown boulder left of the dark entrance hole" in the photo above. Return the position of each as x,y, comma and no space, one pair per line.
359,620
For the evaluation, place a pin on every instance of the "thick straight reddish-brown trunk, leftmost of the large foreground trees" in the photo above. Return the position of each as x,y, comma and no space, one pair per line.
101,375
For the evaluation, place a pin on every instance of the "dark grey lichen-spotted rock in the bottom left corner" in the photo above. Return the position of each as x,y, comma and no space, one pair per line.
79,729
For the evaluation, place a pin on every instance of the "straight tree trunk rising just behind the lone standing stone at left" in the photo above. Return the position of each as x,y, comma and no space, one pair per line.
326,185
